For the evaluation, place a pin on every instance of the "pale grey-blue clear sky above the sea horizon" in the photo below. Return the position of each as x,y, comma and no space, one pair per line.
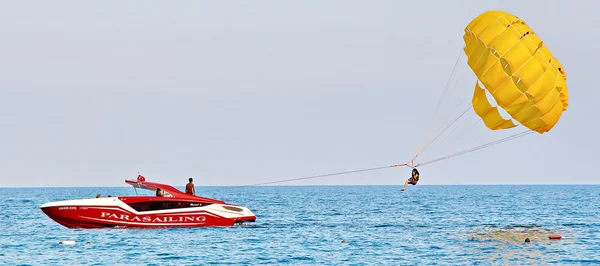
238,93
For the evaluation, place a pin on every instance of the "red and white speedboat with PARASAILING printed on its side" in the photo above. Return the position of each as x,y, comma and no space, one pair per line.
173,209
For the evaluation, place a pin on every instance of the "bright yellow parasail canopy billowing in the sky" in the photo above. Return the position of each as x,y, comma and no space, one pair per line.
522,75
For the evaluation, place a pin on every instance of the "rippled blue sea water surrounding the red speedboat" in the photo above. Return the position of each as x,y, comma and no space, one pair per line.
327,225
